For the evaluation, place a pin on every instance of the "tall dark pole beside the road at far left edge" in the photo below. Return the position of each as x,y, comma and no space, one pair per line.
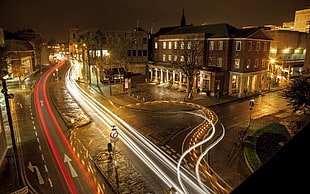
8,96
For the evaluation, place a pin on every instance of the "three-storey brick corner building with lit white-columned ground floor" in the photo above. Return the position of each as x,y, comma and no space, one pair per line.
233,61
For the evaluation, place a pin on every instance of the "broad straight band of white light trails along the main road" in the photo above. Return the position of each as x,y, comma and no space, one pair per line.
153,157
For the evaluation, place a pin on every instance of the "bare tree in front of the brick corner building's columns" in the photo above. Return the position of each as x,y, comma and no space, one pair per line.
190,63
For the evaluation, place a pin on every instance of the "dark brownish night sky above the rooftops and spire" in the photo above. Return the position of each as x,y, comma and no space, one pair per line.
53,17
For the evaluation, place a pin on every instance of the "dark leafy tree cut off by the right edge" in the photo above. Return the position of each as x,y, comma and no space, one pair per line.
298,94
